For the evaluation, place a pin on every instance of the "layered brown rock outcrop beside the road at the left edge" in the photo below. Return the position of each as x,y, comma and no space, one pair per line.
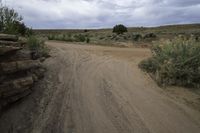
18,71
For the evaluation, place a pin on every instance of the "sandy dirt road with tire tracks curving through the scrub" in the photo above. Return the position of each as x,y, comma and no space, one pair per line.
94,89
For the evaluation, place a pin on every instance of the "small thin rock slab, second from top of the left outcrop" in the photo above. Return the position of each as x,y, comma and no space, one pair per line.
8,49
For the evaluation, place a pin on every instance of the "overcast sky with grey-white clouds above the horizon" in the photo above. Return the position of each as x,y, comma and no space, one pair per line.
105,13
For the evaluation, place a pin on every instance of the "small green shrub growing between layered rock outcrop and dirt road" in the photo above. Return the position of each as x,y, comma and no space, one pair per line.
37,47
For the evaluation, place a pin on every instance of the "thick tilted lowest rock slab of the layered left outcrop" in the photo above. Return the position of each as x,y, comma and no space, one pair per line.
16,86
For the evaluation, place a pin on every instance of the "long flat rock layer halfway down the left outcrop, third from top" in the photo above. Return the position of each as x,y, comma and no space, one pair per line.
11,67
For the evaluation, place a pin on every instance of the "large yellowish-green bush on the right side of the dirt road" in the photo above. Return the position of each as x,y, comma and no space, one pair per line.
175,62
